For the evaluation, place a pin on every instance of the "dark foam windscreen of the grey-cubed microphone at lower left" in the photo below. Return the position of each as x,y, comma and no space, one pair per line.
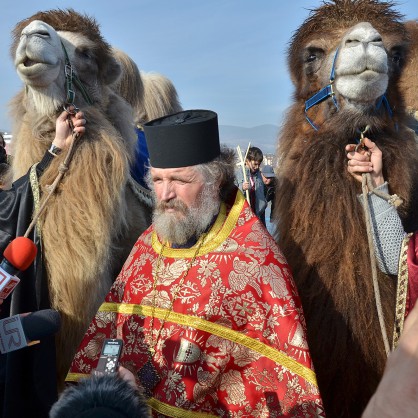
41,324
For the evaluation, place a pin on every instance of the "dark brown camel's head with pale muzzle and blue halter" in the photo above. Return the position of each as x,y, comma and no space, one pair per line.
345,60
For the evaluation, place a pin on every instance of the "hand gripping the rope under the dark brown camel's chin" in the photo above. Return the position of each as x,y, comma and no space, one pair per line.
363,161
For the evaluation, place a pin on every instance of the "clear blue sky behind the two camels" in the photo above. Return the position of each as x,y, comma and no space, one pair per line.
223,55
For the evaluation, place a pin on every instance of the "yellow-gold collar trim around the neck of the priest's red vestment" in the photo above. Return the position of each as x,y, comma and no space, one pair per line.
219,232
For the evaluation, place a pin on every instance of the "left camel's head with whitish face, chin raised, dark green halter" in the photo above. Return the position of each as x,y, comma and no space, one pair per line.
44,47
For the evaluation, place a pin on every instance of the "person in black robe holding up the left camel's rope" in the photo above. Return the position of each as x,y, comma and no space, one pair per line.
27,376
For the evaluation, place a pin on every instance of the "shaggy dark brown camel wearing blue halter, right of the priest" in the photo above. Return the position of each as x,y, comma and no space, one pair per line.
321,226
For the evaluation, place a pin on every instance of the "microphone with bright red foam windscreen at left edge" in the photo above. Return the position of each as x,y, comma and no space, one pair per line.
18,256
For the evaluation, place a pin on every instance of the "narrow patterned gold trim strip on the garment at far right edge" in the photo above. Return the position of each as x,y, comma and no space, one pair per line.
401,292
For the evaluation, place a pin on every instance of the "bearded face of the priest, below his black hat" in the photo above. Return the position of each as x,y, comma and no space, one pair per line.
185,206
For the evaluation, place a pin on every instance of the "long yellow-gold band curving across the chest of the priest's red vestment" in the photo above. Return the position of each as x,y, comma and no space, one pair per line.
215,329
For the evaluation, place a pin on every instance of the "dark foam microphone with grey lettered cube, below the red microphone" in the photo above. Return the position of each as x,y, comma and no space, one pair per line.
21,331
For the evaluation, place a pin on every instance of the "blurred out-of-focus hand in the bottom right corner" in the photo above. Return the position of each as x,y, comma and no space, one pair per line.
397,393
